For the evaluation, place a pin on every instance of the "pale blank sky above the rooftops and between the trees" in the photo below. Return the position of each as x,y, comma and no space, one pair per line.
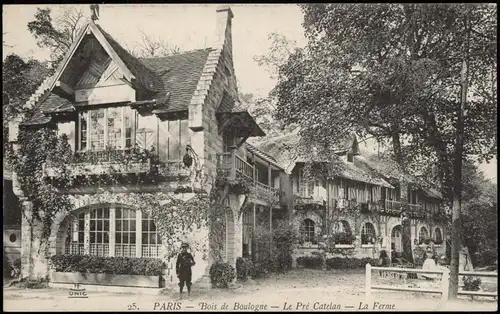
188,26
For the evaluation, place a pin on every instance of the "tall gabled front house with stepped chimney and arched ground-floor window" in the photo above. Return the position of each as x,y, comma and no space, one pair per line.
110,103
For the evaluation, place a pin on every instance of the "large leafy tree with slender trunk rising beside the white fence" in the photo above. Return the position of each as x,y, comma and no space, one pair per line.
400,73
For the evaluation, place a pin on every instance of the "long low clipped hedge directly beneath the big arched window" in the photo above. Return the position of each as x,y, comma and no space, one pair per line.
107,265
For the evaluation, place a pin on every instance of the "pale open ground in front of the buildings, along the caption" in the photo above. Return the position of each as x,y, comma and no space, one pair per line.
298,290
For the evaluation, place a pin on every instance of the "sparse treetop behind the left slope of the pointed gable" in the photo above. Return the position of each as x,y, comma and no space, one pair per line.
59,36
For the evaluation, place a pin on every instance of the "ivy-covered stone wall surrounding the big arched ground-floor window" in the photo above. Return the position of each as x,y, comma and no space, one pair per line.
45,204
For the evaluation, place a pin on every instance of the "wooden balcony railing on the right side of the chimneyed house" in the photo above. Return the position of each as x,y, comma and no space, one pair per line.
225,162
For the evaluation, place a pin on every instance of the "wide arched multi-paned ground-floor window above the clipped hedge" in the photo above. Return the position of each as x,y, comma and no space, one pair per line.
97,224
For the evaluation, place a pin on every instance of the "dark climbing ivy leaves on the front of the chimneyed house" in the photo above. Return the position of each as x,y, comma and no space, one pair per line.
173,216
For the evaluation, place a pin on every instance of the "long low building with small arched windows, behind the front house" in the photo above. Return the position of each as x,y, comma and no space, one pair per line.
363,204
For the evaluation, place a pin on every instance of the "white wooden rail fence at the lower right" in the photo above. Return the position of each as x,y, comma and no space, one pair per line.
443,289
